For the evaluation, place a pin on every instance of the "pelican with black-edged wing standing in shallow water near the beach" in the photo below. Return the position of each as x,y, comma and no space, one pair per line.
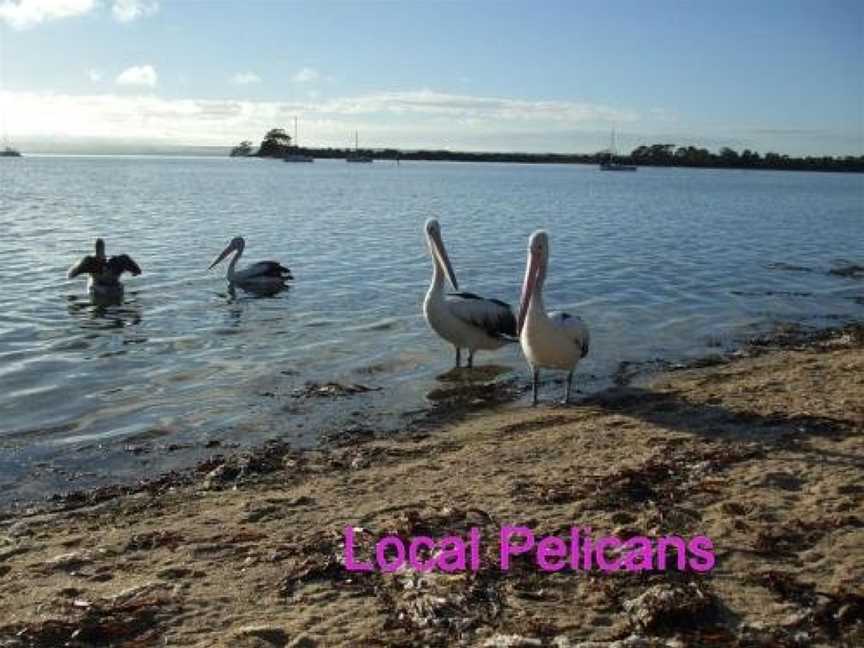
463,319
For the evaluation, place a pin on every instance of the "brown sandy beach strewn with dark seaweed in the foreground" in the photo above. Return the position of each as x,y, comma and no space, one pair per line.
764,454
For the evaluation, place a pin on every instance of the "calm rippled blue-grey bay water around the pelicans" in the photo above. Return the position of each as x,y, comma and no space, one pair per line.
663,262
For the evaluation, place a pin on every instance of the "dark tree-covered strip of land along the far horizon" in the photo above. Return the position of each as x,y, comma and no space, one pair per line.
277,144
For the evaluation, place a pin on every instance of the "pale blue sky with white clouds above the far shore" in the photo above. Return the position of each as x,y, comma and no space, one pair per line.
556,76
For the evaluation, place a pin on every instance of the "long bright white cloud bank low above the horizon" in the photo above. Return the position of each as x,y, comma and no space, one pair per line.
418,119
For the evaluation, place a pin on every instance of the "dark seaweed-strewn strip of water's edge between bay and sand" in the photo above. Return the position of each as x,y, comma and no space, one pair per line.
457,398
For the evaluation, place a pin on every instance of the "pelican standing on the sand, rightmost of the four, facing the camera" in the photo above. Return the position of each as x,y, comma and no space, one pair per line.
556,341
